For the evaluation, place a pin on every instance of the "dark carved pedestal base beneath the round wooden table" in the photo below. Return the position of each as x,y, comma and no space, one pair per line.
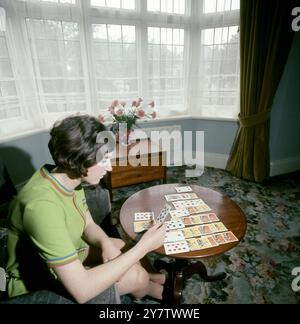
179,271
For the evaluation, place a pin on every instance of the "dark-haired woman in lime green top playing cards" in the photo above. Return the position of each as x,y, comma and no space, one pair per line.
53,242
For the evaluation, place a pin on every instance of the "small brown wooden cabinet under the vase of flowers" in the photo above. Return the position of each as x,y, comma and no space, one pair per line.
137,163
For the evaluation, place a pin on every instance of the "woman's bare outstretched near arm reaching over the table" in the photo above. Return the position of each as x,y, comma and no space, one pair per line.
84,284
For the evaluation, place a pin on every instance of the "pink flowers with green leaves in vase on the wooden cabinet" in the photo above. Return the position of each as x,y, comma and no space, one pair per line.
126,115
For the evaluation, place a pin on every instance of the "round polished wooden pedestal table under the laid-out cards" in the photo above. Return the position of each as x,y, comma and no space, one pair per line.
153,199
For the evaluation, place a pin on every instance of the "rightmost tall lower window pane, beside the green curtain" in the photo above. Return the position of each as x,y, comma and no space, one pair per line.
220,73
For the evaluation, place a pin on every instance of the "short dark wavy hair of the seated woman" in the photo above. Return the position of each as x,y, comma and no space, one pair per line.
73,144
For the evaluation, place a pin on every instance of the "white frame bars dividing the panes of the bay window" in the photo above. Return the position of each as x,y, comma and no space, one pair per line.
193,22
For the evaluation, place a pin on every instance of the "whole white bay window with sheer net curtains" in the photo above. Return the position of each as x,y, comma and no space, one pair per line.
60,57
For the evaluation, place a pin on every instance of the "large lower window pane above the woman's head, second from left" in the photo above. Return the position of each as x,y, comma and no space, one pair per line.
57,60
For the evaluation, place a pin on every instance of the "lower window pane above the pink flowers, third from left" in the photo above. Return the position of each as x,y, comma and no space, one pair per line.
115,53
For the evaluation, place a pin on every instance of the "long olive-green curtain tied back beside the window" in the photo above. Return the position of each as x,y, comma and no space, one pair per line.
266,37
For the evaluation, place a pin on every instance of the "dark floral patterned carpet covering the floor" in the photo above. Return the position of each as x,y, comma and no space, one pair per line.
259,269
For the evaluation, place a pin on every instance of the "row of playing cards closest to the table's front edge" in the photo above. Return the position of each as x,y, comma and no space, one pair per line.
200,243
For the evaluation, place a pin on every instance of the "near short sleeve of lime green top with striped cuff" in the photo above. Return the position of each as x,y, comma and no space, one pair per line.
45,224
